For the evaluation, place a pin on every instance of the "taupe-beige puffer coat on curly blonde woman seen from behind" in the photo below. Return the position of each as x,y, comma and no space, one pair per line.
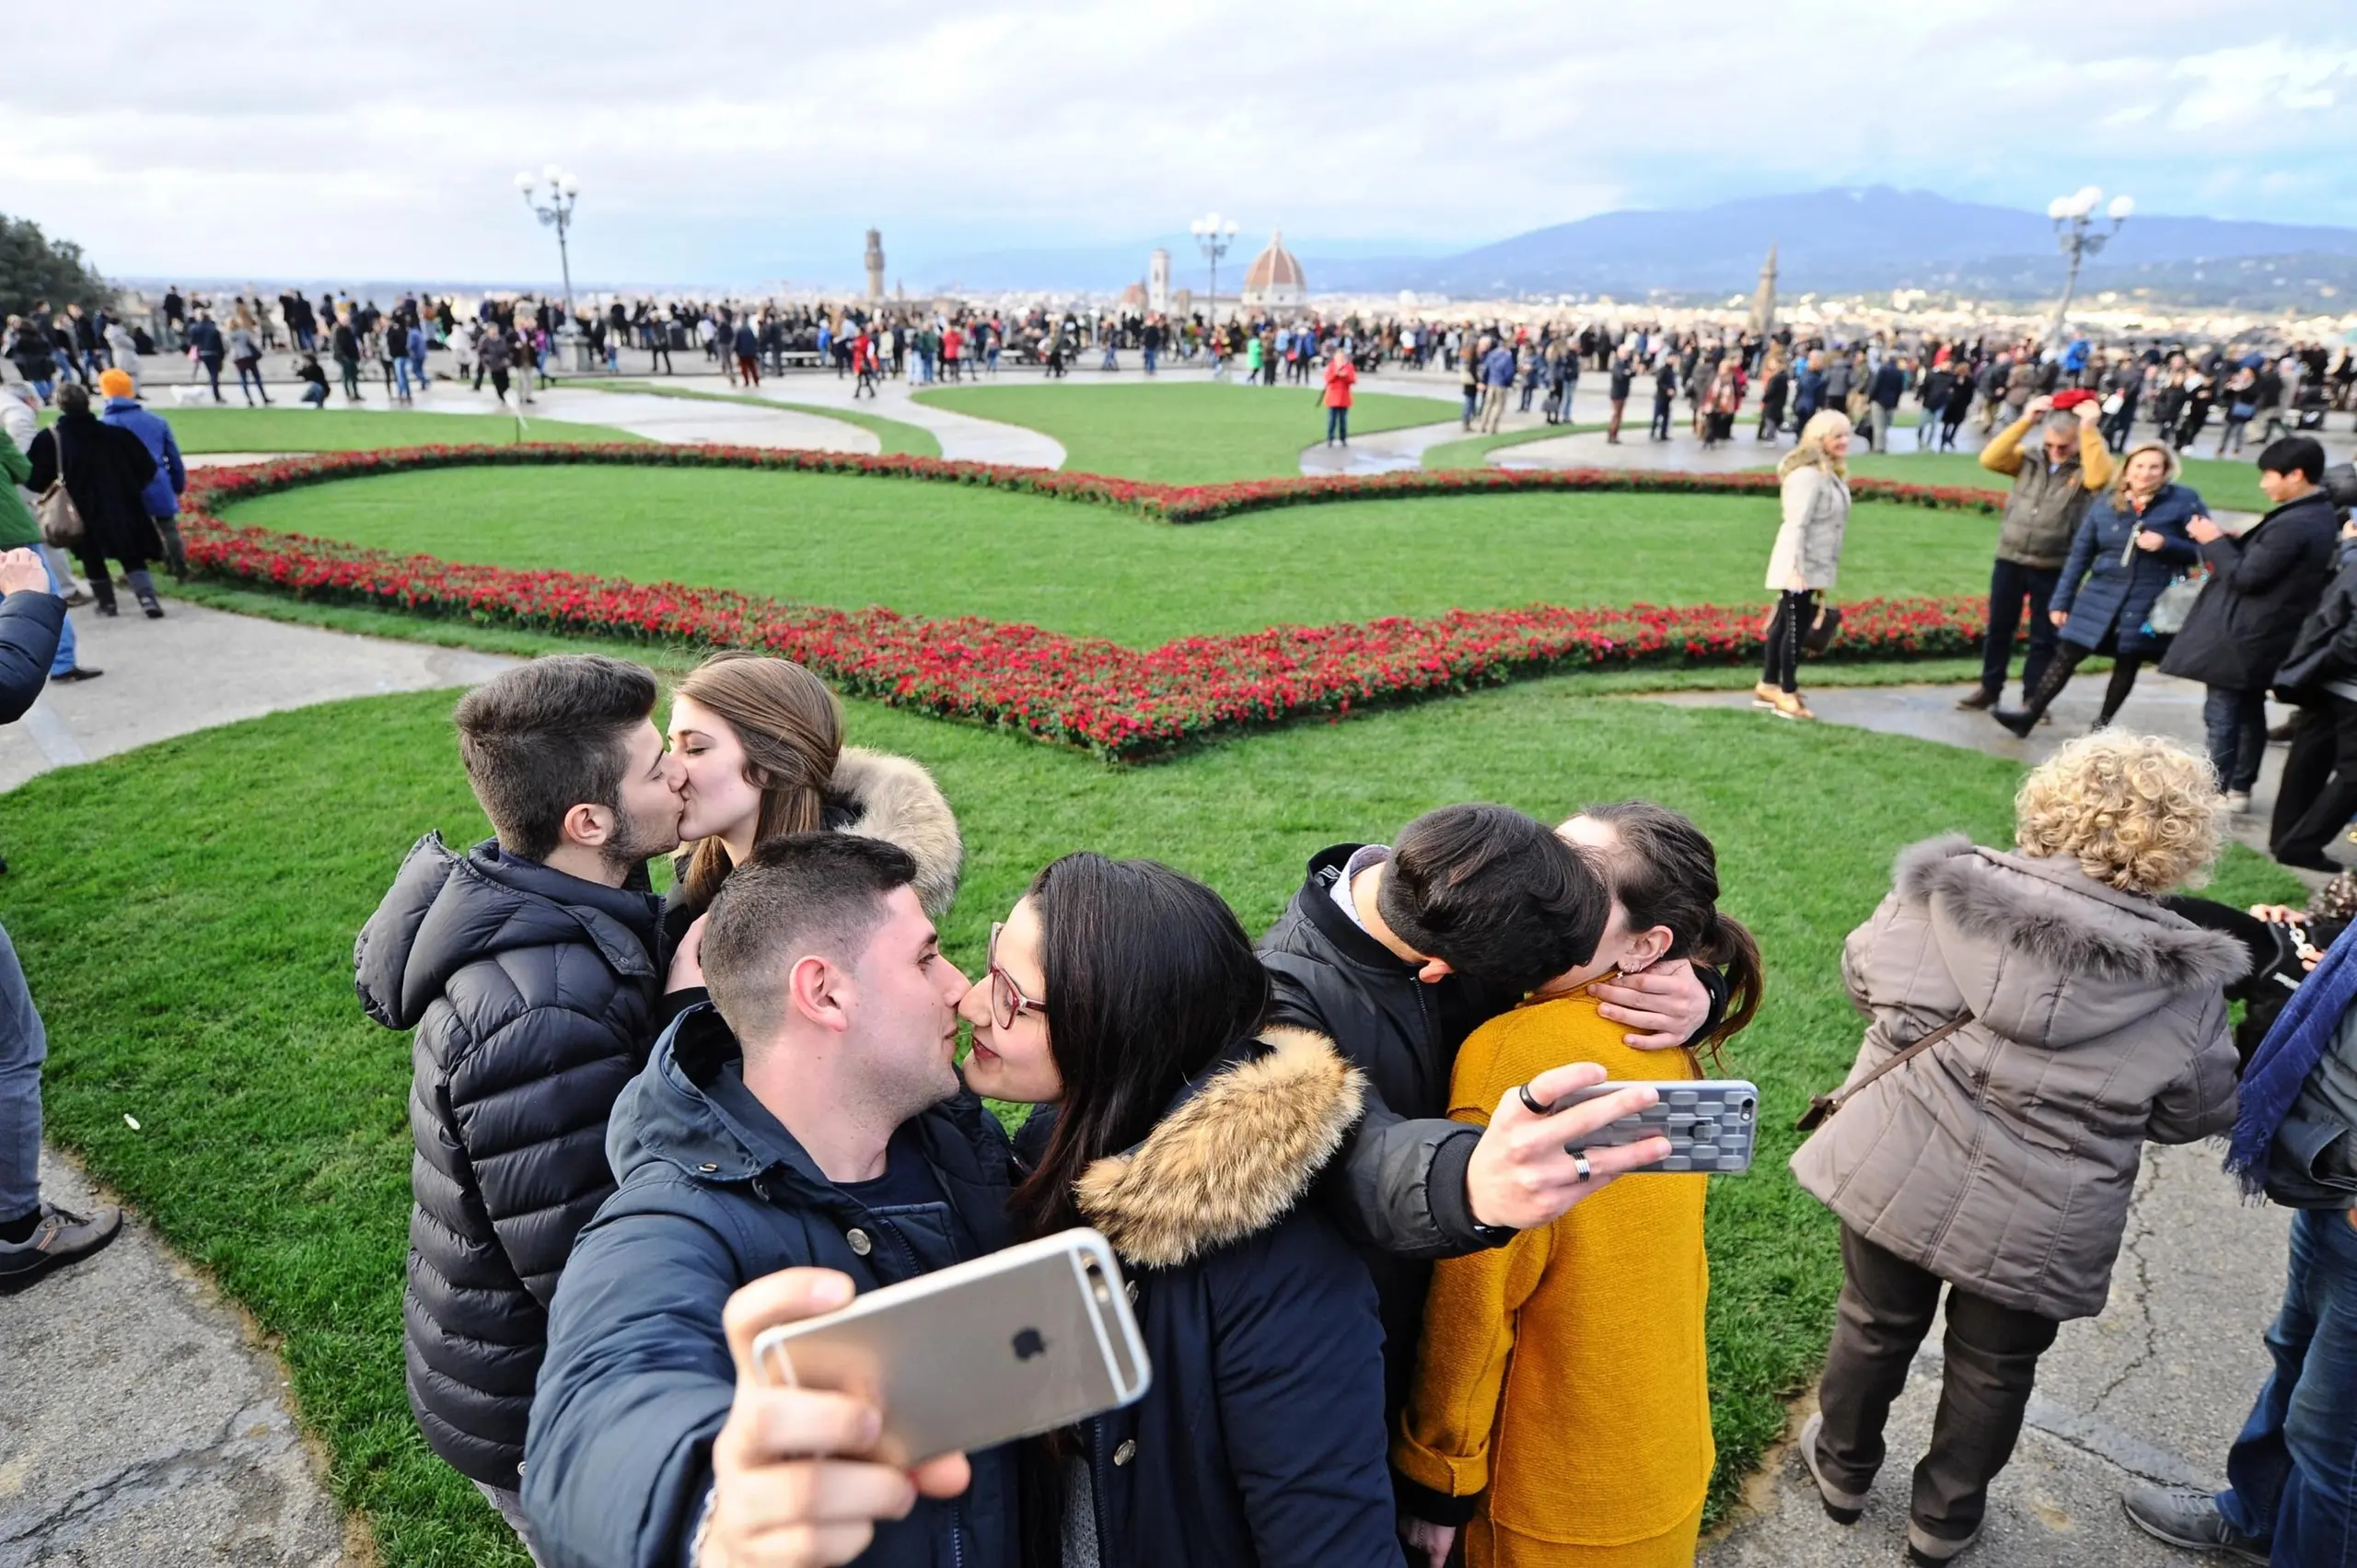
2002,1159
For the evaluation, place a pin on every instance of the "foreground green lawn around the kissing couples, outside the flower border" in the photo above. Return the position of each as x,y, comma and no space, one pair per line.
272,1140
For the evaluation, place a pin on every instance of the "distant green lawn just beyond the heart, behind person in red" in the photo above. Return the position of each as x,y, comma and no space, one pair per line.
1194,433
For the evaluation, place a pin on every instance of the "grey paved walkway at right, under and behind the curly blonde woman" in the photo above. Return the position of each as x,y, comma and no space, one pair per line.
2153,1390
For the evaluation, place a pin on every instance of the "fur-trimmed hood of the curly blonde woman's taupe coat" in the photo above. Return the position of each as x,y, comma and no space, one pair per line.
2049,956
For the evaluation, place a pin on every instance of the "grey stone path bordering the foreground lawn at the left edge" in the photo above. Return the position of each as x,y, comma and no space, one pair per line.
143,1421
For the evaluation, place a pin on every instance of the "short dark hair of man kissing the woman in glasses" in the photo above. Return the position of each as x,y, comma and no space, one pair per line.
798,895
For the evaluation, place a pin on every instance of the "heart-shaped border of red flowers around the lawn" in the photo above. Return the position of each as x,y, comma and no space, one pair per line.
1085,692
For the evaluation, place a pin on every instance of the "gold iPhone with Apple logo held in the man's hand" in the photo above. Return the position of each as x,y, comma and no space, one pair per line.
993,1350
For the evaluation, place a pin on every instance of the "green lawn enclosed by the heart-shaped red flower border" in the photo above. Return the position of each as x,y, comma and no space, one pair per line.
946,551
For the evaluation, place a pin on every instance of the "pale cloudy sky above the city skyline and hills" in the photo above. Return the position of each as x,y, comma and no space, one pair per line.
741,143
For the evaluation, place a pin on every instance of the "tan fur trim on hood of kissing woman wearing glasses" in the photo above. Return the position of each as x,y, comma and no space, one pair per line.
1232,1159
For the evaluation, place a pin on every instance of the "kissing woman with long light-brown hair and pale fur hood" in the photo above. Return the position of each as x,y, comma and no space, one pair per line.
762,749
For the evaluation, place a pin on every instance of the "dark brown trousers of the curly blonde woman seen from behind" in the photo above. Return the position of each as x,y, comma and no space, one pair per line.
1993,1362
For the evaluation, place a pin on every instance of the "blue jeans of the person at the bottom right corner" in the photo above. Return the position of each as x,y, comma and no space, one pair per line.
2292,1475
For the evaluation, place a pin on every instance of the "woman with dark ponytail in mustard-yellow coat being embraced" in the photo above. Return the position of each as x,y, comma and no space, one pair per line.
1590,1326
